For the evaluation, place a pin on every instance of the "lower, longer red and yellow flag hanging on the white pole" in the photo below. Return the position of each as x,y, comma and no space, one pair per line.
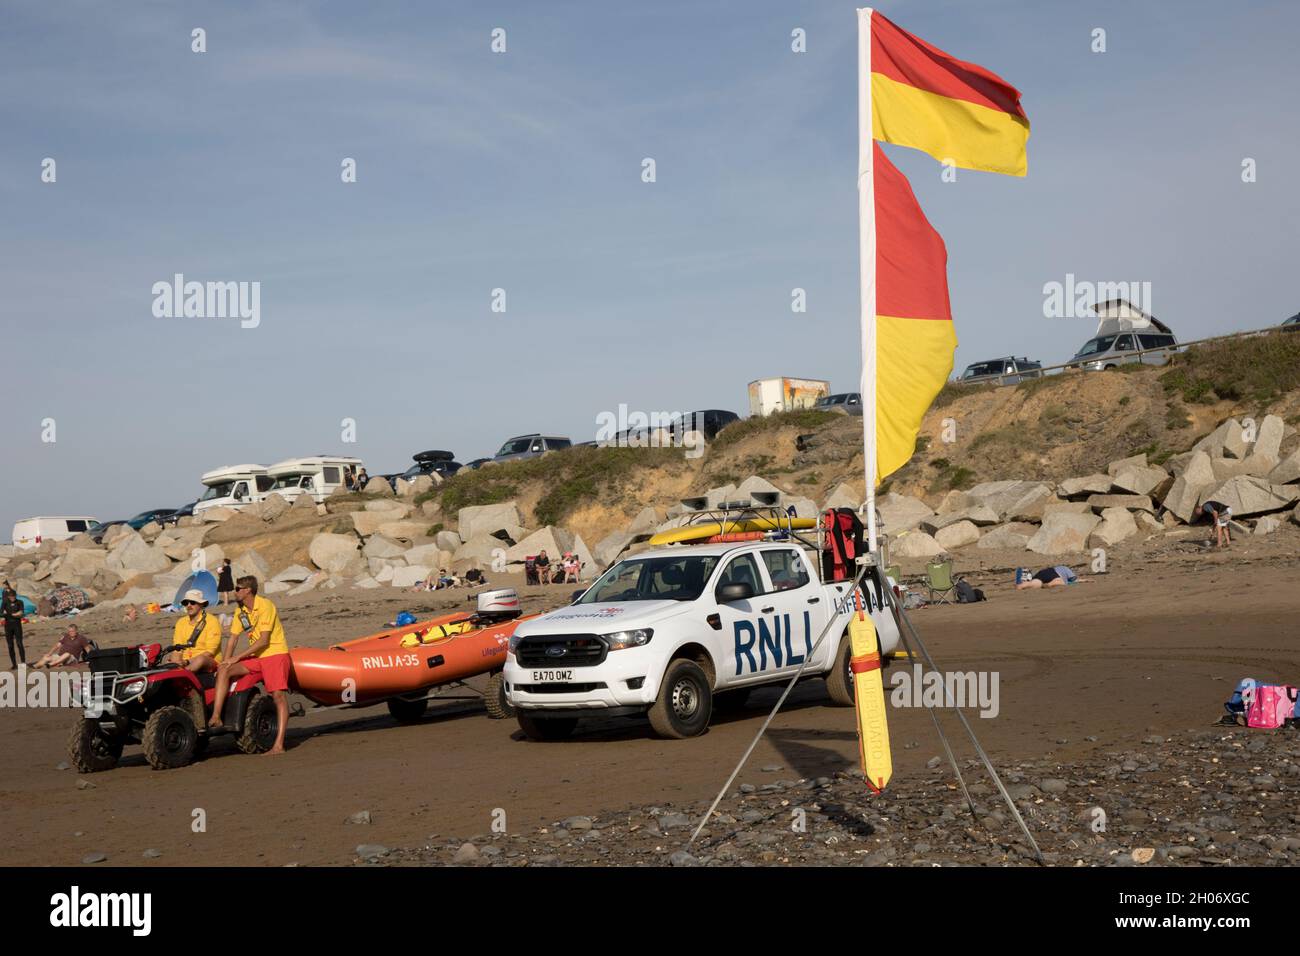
915,322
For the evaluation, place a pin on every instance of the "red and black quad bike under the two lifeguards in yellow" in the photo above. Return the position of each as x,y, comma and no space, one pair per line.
135,698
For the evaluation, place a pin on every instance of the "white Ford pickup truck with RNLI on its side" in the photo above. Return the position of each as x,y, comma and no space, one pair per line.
679,631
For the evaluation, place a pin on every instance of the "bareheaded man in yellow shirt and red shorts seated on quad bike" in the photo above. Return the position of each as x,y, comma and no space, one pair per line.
267,656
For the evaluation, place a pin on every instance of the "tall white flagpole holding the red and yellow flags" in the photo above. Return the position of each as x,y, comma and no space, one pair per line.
868,267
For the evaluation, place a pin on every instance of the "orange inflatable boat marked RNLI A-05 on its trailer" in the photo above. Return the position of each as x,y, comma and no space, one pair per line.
405,665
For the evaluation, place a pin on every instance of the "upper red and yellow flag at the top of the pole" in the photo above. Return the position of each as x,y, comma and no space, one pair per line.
956,111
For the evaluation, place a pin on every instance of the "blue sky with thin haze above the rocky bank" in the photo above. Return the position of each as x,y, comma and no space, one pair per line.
523,171
